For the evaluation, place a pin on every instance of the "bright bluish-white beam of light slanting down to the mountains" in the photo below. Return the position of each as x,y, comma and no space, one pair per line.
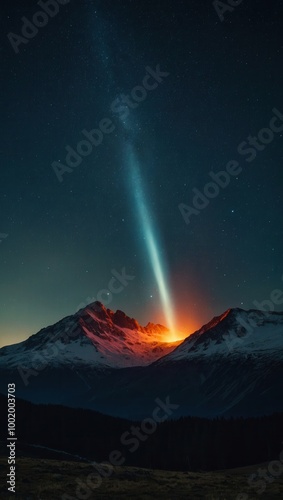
150,239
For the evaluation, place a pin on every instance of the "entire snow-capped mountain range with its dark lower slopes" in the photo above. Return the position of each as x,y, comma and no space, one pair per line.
105,361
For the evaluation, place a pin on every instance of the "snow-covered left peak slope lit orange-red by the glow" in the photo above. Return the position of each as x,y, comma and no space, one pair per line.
94,336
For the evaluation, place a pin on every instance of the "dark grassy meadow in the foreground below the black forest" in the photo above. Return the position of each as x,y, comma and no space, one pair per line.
42,479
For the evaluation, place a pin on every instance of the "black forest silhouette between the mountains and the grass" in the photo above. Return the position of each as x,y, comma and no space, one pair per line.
186,444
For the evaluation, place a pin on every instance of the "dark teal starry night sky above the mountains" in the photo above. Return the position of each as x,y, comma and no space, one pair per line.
66,236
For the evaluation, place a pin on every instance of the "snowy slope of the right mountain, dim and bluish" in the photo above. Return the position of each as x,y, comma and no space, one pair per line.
235,333
